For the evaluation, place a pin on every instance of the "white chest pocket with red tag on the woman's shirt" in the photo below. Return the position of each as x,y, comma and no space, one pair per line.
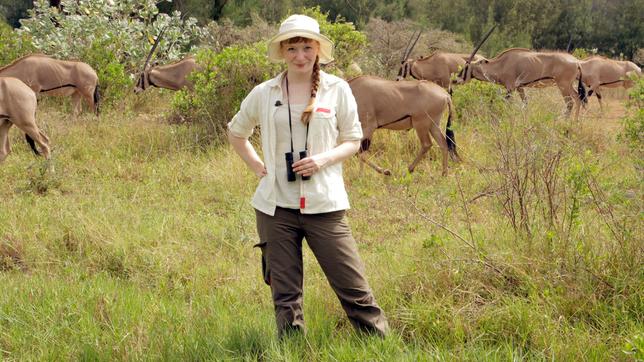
323,129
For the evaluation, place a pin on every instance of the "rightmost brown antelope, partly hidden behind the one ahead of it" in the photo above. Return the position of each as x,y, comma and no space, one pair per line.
598,72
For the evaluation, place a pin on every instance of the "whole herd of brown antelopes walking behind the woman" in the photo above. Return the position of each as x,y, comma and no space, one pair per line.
397,105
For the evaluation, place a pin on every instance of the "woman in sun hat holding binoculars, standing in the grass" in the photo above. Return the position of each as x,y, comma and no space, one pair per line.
309,125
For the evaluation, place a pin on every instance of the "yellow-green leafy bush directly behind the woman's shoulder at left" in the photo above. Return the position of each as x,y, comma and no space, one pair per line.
222,83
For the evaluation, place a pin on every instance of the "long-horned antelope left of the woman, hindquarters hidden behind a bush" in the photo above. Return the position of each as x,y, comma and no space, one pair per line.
171,76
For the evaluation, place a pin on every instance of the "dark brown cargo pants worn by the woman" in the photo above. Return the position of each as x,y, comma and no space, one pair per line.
330,239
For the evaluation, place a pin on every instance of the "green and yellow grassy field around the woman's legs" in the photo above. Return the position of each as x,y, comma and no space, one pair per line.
138,246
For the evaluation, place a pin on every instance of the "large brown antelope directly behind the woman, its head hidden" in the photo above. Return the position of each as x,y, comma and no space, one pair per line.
402,105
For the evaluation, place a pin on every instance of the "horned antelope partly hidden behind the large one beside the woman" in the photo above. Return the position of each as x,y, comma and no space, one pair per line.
437,67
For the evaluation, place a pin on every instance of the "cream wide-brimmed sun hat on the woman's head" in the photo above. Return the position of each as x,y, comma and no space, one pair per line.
303,26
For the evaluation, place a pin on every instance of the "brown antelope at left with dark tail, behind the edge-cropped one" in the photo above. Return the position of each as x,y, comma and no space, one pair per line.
57,78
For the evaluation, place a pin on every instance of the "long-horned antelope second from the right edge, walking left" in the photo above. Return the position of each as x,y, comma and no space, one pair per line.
517,68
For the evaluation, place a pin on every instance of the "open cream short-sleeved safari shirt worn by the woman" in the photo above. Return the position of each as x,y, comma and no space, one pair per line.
334,120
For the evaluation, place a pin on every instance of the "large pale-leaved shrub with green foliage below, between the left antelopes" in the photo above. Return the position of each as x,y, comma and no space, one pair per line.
113,37
